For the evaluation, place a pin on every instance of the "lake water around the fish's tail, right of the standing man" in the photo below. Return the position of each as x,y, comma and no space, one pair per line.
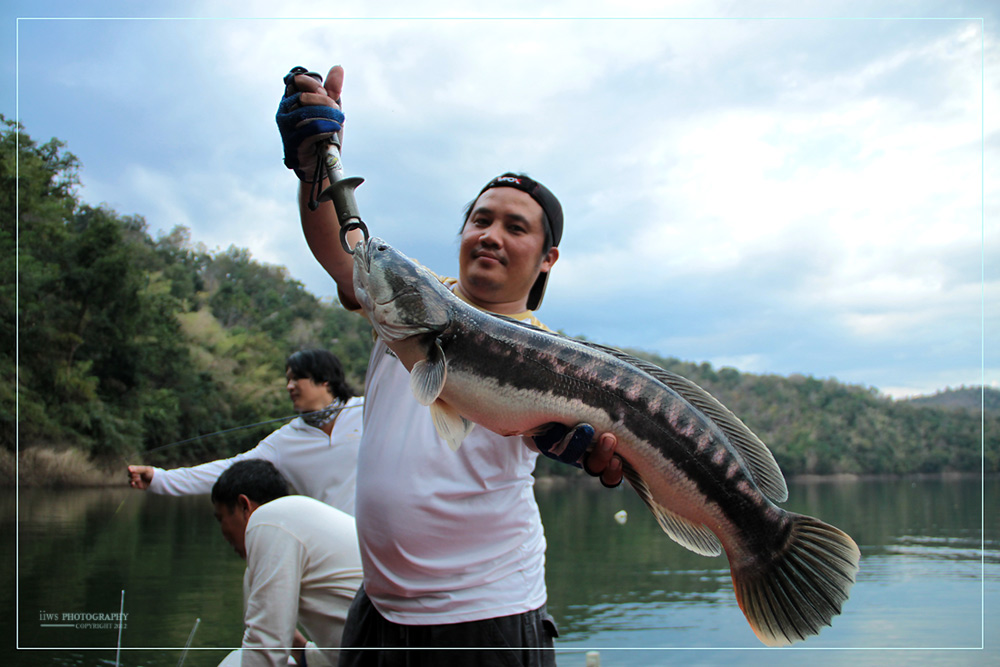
921,548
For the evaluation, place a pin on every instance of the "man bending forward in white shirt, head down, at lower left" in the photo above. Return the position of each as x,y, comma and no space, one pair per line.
303,565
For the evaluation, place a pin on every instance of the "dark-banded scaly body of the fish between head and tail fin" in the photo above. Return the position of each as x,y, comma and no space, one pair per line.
515,380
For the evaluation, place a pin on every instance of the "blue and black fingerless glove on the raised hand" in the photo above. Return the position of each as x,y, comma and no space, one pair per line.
303,127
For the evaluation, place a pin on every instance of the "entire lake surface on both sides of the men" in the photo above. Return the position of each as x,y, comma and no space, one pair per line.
928,592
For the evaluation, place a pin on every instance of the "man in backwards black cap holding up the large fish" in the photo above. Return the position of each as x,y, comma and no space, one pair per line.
451,541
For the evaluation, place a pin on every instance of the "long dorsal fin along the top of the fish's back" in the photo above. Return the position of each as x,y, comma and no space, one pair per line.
763,468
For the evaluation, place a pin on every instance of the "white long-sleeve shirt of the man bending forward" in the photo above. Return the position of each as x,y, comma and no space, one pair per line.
303,567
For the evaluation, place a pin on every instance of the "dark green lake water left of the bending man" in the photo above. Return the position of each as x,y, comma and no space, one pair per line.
80,549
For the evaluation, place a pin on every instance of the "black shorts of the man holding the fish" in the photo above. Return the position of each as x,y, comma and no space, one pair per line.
521,640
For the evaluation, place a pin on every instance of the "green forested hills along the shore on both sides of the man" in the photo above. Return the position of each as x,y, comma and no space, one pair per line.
129,343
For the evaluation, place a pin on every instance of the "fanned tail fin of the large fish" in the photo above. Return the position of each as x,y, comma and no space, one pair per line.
802,587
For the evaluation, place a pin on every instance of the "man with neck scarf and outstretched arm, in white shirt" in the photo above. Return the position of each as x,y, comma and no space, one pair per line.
316,452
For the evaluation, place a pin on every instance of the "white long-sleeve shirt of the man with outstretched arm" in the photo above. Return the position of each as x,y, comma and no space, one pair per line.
315,464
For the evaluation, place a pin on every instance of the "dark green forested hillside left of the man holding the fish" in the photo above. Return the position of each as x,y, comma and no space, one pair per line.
128,342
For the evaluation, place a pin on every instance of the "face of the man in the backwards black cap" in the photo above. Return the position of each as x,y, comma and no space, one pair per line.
501,249
